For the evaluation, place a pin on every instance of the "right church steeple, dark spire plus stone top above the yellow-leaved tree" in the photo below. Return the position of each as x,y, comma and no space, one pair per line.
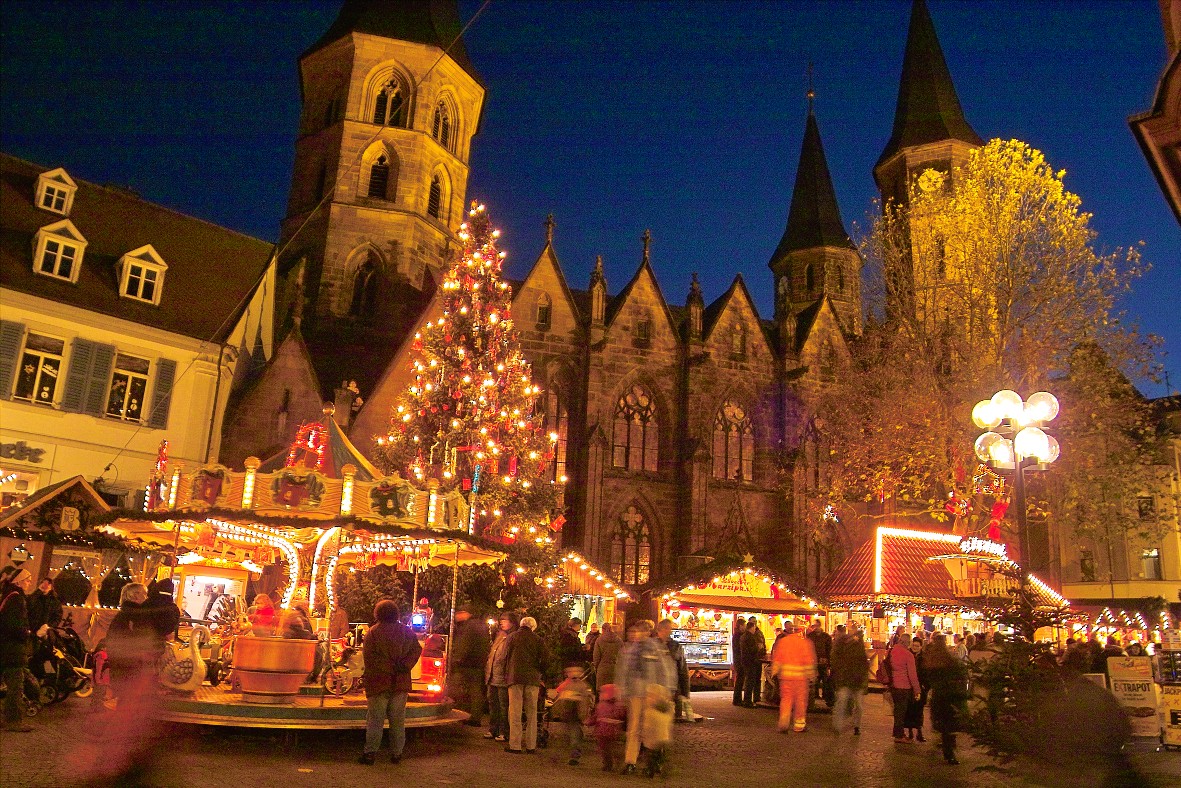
930,128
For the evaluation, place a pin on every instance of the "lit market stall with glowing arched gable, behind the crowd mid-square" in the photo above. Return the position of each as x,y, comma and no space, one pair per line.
706,609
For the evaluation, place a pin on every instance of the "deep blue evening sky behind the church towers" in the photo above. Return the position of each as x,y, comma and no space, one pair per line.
682,118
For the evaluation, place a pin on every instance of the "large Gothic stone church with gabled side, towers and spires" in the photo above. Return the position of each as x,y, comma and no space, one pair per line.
684,426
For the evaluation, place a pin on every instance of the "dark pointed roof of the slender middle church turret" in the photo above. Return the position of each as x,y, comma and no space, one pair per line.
814,219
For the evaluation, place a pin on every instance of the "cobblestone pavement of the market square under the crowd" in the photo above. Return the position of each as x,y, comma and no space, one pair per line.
733,747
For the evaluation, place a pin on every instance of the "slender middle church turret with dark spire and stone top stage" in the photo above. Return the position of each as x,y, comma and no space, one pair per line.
815,258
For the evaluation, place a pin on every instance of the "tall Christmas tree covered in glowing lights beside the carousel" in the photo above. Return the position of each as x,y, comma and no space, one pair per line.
468,420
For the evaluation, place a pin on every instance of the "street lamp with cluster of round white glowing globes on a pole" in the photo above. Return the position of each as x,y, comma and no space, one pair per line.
1016,442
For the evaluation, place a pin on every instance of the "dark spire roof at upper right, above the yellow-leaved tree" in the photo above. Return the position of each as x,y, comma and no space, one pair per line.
929,110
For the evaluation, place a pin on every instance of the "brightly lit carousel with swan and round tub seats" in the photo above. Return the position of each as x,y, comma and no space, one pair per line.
286,527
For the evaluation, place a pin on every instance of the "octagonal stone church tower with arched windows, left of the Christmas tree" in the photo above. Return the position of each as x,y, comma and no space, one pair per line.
392,103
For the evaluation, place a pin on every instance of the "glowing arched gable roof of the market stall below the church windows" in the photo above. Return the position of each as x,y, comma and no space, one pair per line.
742,587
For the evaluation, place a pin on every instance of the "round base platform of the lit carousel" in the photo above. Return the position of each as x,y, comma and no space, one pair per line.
214,706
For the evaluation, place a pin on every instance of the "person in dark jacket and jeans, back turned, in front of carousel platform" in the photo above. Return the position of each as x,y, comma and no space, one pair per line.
392,653
